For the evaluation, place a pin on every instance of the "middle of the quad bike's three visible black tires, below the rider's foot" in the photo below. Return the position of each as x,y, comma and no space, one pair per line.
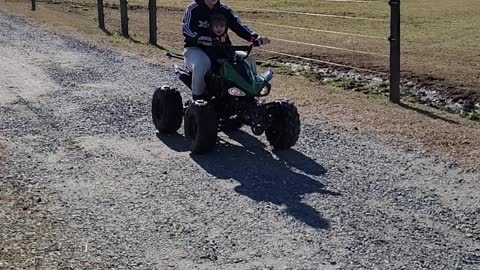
201,128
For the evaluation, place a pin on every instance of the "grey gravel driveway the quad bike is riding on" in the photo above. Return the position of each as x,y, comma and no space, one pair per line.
113,195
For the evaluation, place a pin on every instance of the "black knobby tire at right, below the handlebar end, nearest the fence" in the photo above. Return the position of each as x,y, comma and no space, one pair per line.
283,132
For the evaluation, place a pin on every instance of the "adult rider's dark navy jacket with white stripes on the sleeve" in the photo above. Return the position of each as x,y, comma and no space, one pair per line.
197,15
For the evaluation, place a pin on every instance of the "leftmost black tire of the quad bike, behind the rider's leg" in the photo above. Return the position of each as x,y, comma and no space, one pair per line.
167,110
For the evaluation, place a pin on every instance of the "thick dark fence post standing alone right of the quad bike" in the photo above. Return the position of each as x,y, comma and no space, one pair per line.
395,51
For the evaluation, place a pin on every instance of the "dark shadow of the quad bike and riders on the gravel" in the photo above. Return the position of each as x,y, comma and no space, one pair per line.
266,178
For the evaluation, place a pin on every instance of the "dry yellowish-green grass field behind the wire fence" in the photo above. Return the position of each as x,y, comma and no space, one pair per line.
439,37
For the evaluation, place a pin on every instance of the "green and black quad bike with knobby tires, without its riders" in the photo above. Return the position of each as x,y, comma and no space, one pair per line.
233,99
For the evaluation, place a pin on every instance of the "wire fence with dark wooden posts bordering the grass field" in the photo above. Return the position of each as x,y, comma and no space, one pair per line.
140,23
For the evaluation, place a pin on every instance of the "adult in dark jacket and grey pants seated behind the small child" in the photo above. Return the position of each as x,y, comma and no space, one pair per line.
198,35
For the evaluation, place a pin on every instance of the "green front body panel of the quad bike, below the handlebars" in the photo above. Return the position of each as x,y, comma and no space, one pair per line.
239,74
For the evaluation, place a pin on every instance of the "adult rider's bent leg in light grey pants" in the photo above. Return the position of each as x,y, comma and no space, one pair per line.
199,64
